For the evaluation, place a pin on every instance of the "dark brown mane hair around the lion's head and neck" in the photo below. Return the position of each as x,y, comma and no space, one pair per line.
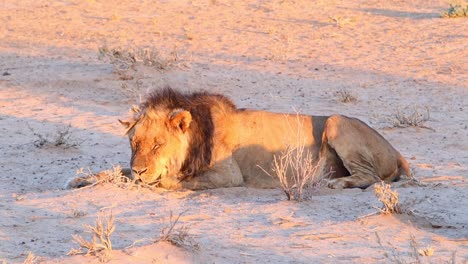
200,105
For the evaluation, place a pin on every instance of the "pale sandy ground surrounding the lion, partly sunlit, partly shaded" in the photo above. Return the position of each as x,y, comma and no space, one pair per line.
274,55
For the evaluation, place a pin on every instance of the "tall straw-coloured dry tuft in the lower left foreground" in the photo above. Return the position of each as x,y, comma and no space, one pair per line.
100,245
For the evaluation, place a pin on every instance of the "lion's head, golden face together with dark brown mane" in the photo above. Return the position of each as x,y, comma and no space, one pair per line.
171,136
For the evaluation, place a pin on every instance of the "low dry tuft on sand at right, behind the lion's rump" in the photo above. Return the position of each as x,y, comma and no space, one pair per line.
411,117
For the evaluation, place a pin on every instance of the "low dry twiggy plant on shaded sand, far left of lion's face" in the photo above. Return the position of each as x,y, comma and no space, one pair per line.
63,138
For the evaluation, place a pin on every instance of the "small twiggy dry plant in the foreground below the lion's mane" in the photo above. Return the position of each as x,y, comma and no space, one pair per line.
177,236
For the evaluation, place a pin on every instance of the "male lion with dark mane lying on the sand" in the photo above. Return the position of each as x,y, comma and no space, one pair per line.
201,140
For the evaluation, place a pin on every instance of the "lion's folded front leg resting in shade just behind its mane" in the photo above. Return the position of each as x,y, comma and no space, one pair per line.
225,173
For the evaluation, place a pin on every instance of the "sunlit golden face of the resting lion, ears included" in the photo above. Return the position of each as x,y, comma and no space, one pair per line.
159,143
